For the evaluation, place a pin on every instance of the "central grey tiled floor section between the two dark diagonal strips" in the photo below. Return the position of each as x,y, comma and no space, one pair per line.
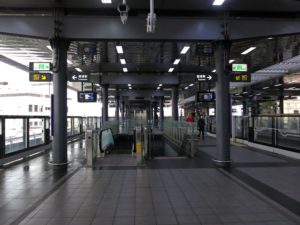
175,196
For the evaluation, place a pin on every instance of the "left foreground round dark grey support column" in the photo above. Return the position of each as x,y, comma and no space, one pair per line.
59,154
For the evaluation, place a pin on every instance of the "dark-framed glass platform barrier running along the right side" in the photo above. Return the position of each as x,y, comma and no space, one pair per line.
280,131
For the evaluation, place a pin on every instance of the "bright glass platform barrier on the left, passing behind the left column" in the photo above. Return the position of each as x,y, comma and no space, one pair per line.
22,133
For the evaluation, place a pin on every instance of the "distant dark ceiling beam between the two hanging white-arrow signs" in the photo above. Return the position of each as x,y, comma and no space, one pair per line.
138,79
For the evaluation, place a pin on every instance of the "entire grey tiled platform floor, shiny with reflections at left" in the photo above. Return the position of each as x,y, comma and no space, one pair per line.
259,189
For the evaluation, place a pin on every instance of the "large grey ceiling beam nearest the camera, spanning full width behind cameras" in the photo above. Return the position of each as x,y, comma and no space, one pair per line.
111,28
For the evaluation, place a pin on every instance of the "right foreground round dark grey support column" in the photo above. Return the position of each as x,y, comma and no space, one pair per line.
223,110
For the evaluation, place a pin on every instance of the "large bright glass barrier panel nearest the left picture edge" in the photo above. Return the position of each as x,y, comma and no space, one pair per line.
15,135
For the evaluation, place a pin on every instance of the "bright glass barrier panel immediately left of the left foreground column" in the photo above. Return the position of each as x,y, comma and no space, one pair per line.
36,132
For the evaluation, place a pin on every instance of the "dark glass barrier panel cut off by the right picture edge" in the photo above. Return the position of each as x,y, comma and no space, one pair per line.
288,132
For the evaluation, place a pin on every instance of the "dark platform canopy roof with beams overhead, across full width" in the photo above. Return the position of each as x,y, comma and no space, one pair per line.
95,29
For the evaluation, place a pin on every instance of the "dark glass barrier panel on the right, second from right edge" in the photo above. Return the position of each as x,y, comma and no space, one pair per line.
263,130
